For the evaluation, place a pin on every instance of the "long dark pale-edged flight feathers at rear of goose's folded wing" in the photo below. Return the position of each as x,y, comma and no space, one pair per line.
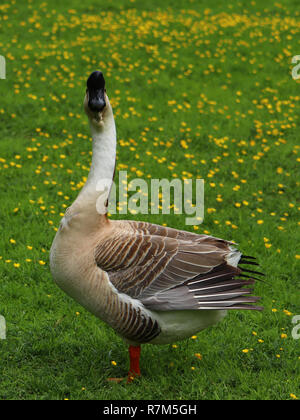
221,288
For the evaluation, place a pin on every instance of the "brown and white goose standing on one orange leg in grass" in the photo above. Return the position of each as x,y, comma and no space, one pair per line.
152,284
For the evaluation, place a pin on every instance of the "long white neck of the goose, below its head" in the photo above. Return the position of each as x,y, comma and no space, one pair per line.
102,169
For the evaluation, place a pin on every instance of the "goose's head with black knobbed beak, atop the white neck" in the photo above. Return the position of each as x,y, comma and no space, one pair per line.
96,103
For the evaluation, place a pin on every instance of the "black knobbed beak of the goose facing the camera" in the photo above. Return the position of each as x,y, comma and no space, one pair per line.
96,90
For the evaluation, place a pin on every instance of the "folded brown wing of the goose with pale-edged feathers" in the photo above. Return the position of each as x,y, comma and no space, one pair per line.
169,269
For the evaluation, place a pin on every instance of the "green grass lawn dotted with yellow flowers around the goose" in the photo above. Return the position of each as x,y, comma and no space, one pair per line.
207,87
